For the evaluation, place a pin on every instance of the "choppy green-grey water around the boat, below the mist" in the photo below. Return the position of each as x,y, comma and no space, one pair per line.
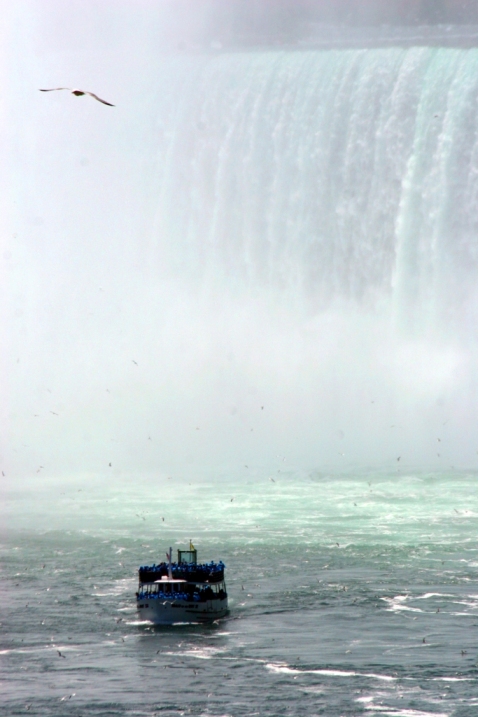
349,595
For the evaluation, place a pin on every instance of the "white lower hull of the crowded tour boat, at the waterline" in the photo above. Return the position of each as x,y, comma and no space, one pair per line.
166,612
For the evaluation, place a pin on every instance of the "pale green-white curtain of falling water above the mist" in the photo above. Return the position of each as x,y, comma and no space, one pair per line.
326,176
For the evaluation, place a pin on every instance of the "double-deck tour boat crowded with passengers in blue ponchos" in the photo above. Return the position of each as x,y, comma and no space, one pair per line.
182,592
